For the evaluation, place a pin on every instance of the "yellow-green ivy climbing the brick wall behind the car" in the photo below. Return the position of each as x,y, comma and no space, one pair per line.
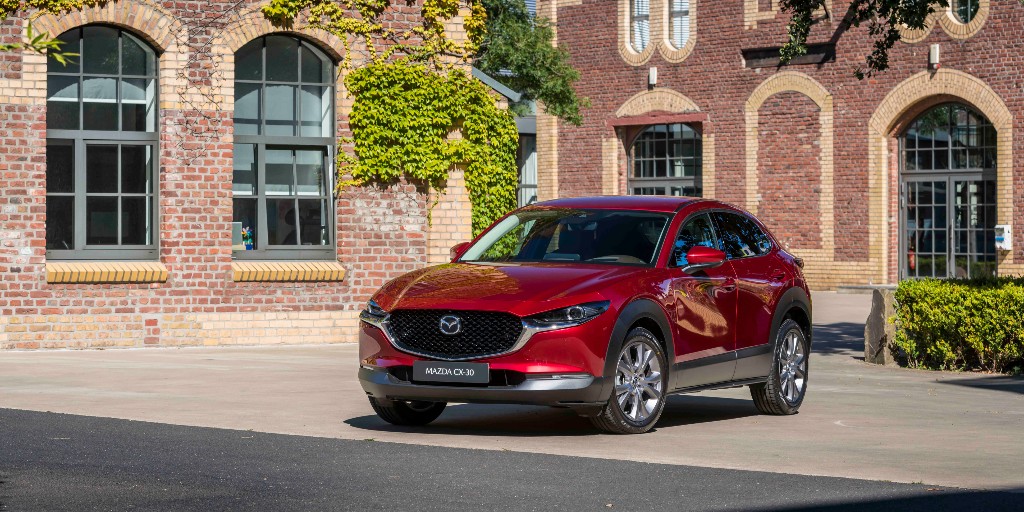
416,113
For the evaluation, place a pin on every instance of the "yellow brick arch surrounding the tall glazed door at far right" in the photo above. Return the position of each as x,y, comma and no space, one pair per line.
947,82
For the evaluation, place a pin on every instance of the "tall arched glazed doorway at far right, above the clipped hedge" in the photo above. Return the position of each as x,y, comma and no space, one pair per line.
948,190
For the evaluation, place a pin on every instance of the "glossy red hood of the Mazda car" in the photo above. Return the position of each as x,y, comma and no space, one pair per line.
521,289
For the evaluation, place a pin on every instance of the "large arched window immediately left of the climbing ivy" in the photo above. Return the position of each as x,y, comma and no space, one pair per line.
284,142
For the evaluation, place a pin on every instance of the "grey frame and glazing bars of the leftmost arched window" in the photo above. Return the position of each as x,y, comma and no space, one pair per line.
81,139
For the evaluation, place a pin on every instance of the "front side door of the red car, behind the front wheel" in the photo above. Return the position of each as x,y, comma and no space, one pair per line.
704,309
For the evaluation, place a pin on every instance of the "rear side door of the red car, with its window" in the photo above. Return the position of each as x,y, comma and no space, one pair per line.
761,280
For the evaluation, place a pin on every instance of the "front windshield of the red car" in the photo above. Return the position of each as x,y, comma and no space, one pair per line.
611,237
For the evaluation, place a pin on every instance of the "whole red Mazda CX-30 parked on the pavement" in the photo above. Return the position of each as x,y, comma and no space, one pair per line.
604,306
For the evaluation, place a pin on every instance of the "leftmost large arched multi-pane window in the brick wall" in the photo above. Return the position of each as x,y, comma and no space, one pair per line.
102,148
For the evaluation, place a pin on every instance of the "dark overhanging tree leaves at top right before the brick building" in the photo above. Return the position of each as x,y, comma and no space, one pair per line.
884,19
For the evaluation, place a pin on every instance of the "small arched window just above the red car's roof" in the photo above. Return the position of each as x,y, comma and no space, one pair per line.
666,161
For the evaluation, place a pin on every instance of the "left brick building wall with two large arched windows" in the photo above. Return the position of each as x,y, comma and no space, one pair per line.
176,186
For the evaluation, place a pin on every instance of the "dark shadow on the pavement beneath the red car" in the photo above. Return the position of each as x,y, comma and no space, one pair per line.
478,419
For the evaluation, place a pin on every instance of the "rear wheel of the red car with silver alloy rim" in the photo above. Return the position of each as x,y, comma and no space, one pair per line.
784,393
